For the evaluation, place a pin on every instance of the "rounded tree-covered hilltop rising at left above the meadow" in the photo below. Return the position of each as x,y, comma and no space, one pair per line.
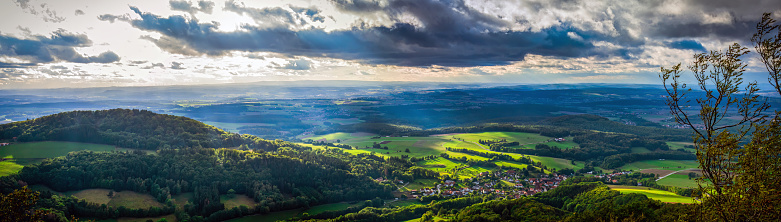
128,128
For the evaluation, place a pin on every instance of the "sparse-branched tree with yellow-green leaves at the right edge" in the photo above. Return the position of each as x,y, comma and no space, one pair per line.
739,159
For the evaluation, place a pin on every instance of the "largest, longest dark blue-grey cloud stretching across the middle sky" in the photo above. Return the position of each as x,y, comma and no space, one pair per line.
452,35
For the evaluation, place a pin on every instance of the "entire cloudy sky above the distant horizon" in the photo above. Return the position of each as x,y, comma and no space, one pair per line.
56,44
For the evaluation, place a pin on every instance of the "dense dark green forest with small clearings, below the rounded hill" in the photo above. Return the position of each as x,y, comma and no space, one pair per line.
288,178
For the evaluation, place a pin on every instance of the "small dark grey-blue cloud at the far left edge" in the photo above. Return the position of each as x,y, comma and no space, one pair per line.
57,47
